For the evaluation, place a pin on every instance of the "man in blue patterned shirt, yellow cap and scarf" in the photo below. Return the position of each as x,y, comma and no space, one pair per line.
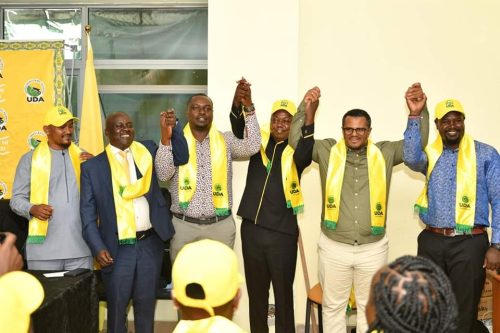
463,181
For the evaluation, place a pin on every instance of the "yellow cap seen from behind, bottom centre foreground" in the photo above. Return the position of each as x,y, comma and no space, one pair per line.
205,275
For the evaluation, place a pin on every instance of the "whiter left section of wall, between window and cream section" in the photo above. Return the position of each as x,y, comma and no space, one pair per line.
258,40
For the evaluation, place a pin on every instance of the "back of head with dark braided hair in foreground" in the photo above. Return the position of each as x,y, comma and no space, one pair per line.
411,294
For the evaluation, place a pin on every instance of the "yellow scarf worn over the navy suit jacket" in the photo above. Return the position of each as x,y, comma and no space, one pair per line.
125,193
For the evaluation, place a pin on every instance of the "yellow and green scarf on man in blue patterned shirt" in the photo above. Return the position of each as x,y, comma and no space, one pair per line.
465,200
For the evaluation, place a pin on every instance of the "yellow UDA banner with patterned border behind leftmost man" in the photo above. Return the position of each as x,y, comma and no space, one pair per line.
31,81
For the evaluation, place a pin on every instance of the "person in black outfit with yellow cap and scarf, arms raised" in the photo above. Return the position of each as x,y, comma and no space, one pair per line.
269,207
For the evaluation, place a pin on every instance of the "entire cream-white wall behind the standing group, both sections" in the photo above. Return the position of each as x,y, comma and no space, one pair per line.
364,54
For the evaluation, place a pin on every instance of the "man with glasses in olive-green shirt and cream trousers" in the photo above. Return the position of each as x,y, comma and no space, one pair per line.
355,178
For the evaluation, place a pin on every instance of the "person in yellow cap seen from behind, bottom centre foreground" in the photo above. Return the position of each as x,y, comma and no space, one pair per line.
206,287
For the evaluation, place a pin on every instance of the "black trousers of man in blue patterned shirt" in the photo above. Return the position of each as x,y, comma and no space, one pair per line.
461,258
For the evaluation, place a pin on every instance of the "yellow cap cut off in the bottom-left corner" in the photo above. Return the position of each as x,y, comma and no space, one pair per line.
22,294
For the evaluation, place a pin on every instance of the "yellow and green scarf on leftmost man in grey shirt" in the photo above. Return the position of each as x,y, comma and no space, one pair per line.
39,188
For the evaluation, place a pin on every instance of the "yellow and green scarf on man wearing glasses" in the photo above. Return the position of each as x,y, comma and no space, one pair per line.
377,183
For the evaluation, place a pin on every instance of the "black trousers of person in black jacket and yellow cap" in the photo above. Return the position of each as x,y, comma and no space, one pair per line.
269,256
